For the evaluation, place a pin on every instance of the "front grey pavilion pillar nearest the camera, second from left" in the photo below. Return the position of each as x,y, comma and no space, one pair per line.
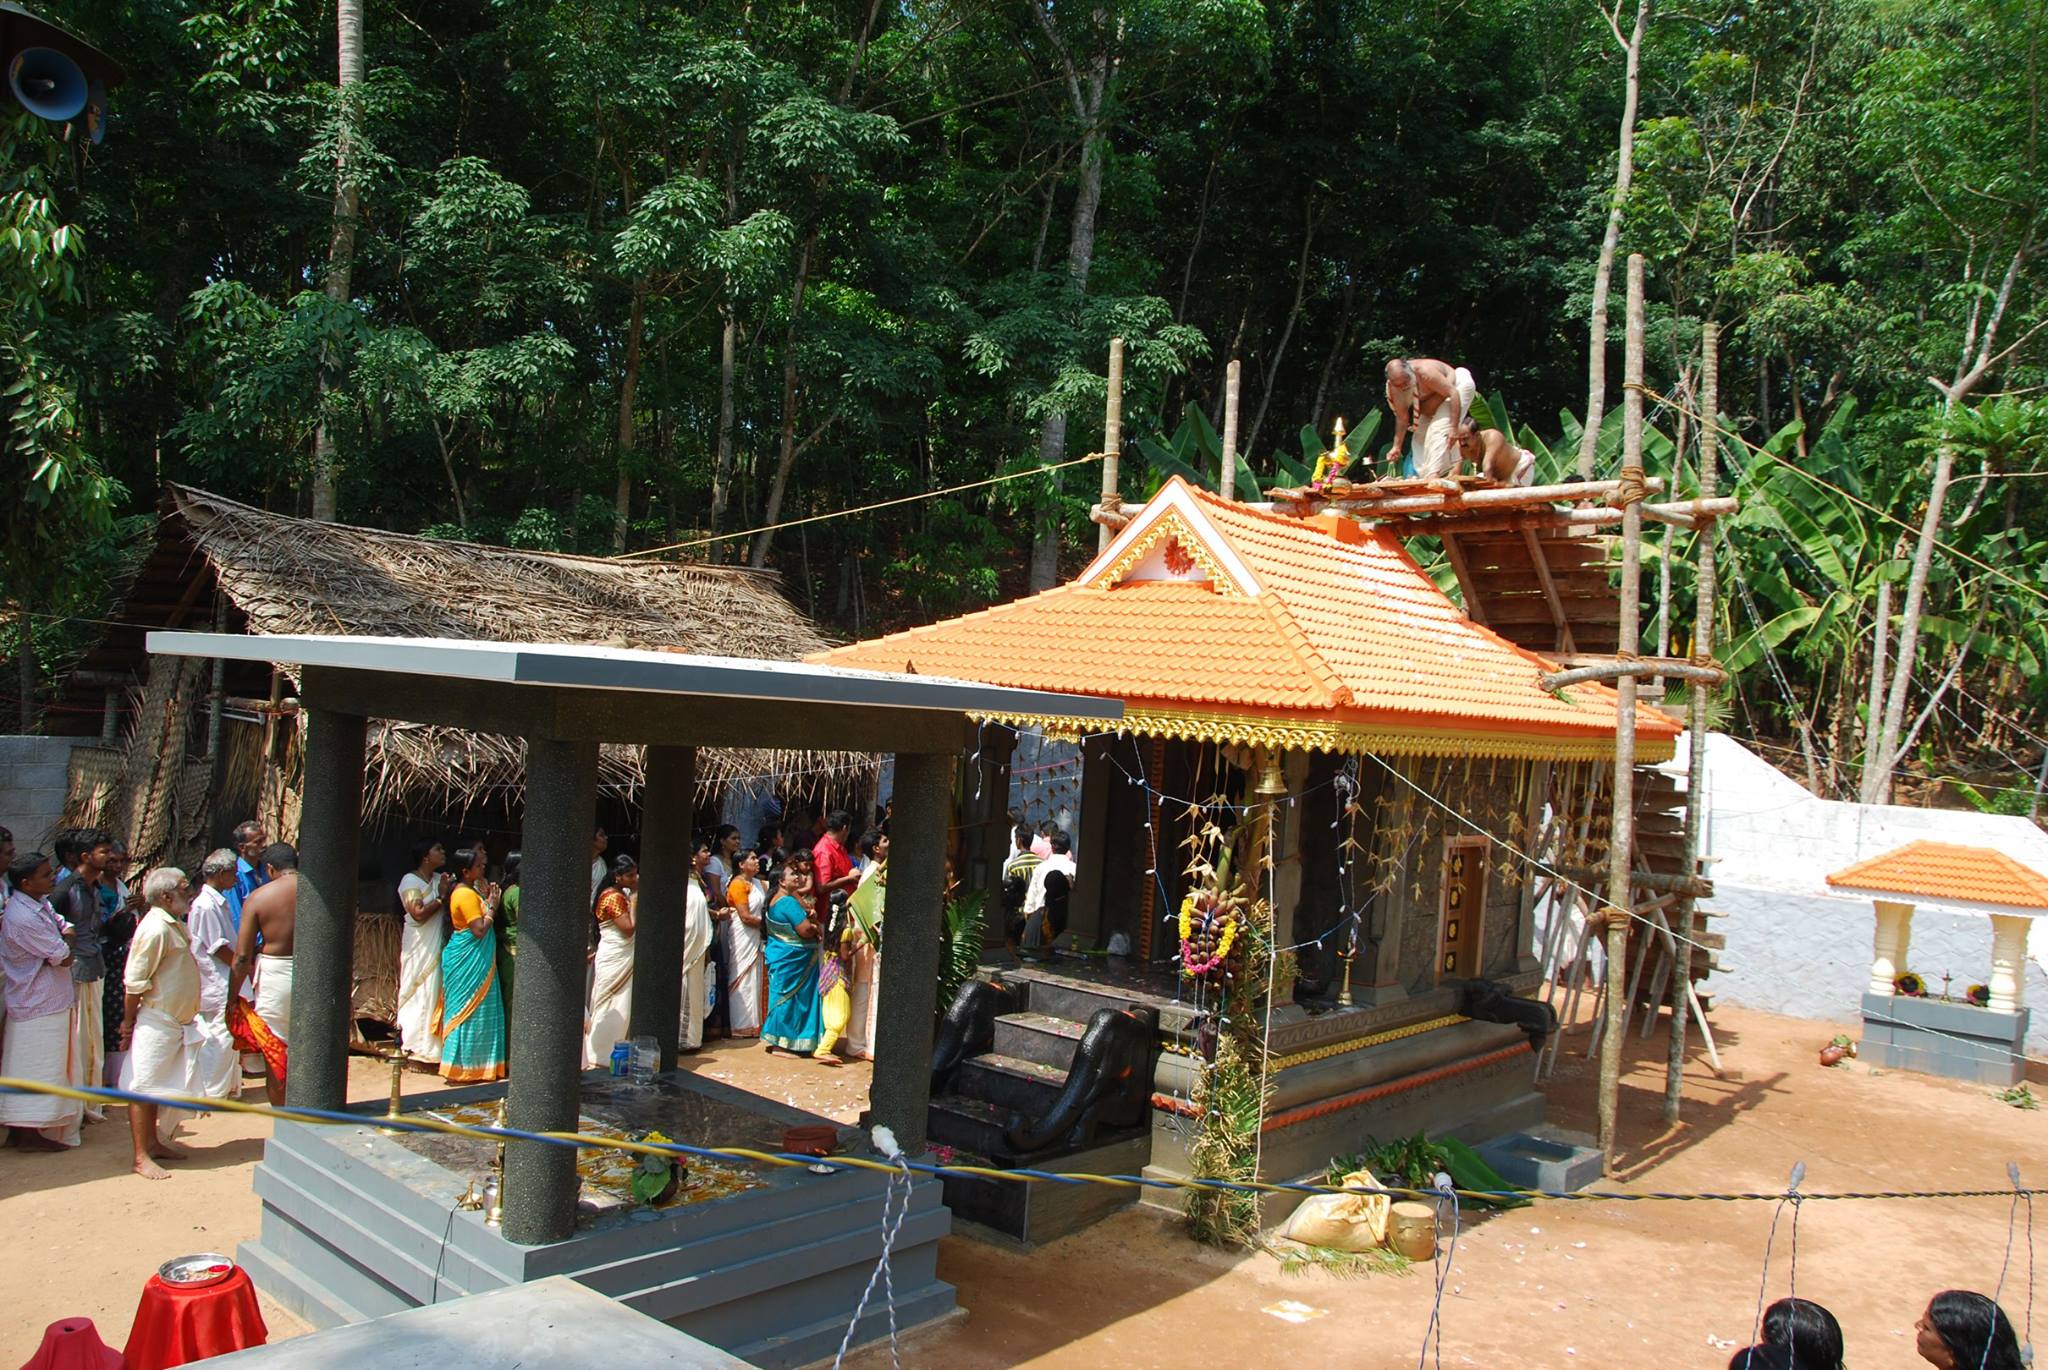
548,1013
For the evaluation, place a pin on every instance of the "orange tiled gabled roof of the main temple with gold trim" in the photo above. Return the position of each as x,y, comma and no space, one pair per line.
1318,622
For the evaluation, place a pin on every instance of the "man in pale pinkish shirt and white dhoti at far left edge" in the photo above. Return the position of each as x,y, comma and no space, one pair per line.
42,1002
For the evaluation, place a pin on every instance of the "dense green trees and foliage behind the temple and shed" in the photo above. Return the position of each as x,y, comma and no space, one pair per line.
628,275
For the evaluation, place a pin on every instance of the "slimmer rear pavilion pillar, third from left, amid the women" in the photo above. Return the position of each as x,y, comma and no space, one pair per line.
667,804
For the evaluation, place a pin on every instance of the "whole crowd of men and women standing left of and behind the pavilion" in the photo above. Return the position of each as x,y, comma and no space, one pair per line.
181,986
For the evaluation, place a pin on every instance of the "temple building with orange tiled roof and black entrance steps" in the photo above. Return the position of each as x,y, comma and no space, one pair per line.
1426,791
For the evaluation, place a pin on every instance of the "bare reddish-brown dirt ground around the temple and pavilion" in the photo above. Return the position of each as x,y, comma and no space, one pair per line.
1560,1285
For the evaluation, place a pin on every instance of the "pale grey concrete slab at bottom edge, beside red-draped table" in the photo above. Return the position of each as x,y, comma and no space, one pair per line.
552,1324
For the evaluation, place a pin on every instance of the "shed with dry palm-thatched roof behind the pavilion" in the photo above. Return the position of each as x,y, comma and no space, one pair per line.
191,748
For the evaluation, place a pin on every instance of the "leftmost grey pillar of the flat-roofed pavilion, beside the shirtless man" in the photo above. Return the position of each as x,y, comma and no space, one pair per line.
325,937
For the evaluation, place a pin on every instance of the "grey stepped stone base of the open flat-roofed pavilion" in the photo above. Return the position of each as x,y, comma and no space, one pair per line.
357,1226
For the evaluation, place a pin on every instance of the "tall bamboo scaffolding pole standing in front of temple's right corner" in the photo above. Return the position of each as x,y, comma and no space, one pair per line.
1621,828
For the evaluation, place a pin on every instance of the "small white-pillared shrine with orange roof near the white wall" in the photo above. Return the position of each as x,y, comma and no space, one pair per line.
1981,1033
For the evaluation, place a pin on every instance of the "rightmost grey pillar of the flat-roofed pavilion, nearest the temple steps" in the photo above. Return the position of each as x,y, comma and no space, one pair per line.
916,916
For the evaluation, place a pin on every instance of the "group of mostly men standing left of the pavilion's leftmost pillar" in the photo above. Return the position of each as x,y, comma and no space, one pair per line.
136,986
